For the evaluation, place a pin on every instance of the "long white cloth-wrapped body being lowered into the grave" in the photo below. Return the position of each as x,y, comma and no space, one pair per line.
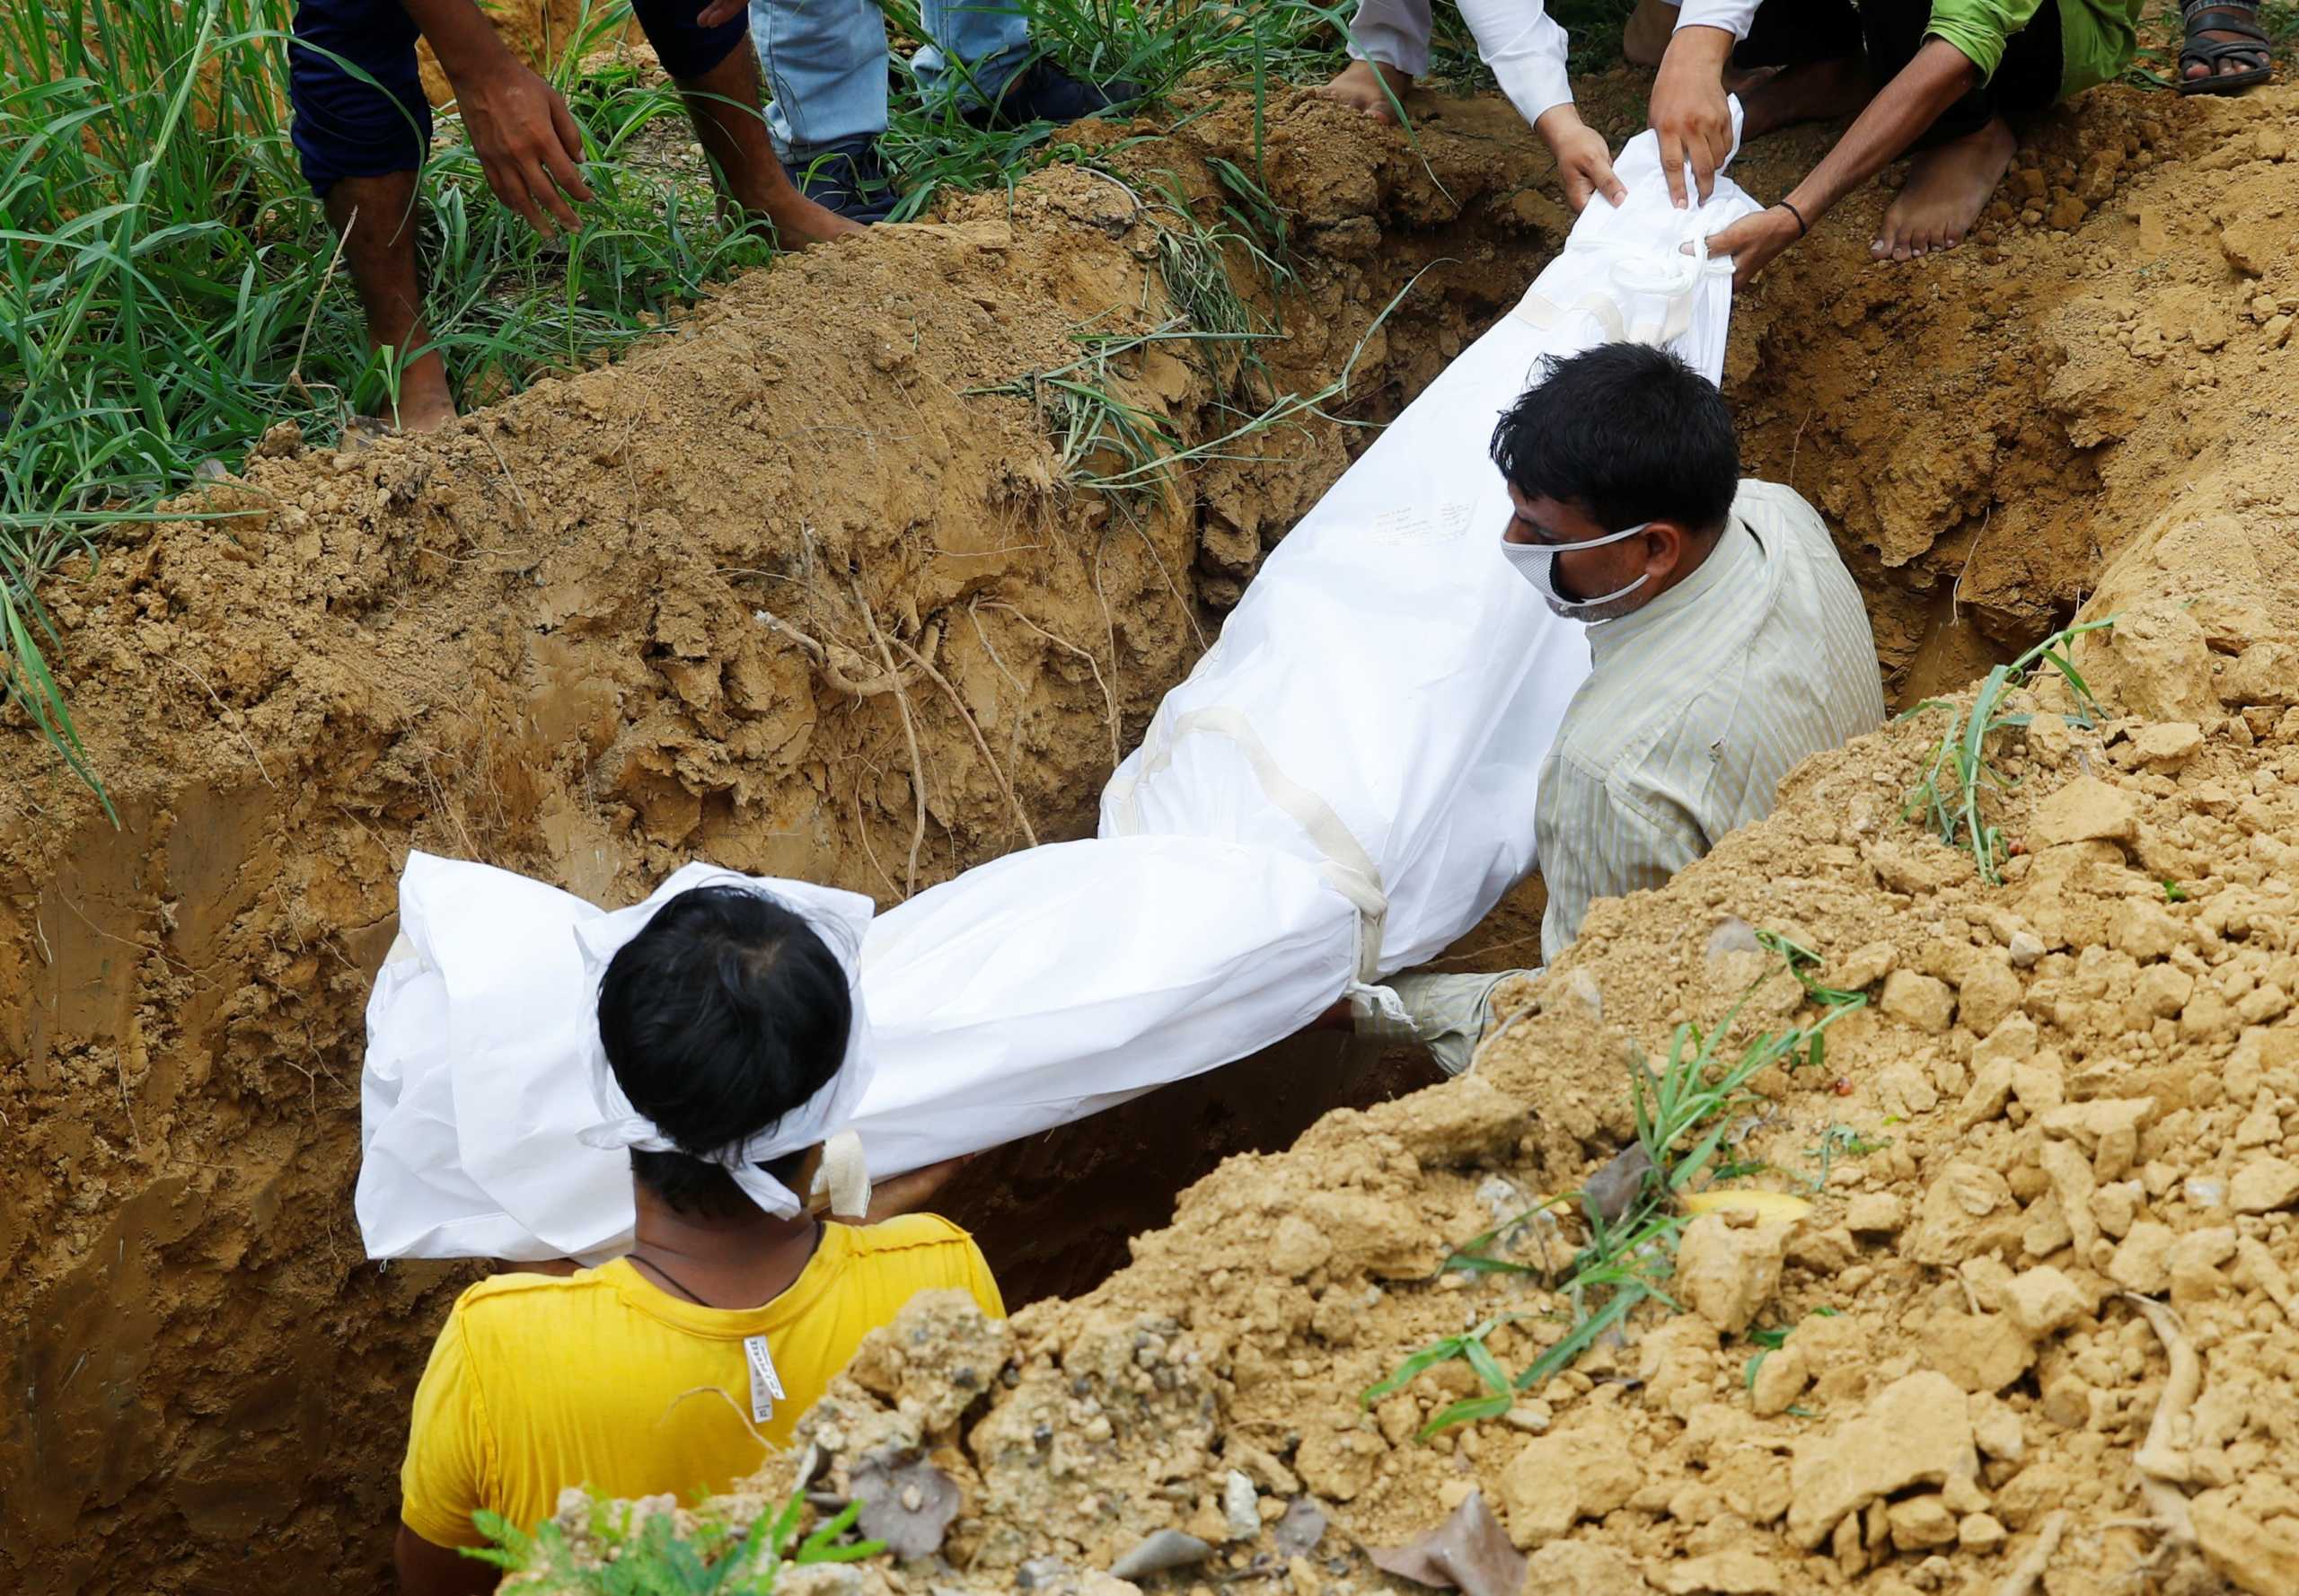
1339,790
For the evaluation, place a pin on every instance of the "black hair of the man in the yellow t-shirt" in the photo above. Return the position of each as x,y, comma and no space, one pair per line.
721,1018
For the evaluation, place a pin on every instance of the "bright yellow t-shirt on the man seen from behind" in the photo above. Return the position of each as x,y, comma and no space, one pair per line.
539,1383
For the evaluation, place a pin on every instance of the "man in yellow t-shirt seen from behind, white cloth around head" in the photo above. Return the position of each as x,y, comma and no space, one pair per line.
672,1369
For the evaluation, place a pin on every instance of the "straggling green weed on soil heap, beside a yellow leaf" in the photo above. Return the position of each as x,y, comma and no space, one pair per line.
1684,1119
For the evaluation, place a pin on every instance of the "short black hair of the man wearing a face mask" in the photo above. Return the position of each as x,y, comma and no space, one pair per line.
1624,433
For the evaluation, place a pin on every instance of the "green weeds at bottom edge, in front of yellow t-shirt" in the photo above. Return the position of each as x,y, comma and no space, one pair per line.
654,1560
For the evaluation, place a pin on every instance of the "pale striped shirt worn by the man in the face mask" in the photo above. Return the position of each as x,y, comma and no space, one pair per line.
1700,705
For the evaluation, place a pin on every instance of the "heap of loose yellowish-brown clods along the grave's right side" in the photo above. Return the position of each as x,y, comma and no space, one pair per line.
2038,1328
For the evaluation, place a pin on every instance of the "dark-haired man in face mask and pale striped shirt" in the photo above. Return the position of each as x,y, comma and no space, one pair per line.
1725,634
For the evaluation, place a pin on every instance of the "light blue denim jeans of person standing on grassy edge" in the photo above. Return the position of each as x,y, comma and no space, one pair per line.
826,63
